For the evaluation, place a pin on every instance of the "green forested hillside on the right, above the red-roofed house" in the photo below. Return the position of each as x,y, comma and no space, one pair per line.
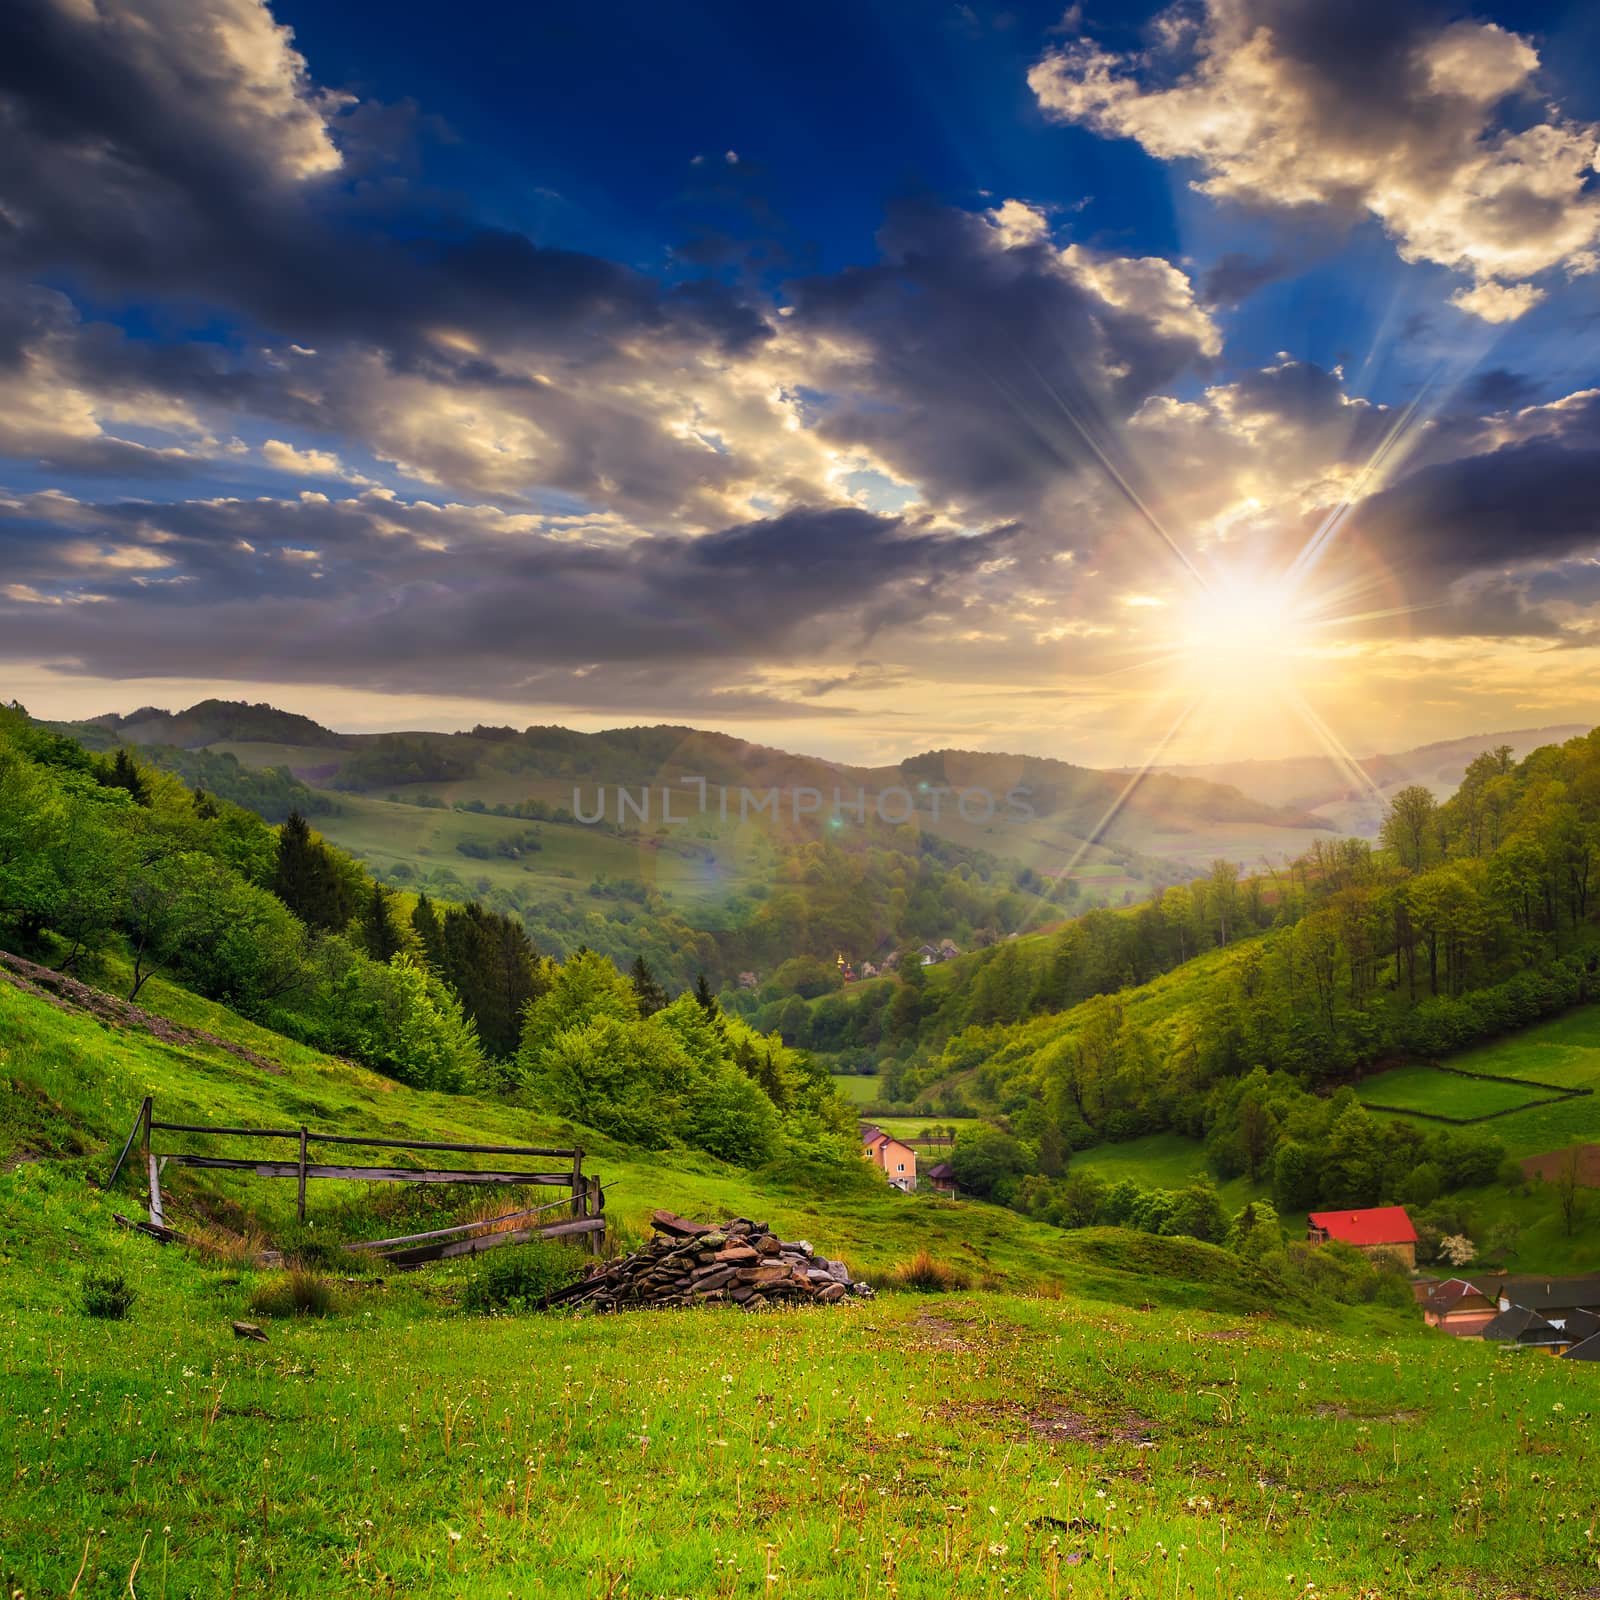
1231,1010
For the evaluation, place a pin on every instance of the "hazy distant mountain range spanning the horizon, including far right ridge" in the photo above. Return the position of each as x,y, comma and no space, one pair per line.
1058,818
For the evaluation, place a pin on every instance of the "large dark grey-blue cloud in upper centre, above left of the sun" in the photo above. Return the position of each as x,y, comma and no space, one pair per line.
991,370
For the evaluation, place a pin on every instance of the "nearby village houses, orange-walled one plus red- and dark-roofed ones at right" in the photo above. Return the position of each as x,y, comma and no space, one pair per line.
1556,1316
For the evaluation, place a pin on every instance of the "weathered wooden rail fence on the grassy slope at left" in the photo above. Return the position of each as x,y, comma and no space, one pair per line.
586,1202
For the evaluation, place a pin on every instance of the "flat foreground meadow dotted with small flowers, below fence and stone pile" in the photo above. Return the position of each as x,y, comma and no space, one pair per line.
978,1446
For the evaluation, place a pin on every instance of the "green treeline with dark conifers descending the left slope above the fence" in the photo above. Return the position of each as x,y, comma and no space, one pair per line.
105,860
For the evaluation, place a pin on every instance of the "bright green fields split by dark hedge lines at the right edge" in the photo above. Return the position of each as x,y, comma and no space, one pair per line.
1564,1052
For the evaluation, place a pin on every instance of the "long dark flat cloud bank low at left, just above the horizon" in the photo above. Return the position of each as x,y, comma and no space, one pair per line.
375,593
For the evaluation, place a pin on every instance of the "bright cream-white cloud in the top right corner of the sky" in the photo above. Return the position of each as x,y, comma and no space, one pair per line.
1426,153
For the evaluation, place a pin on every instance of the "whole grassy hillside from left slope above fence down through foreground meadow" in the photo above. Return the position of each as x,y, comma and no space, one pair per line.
1154,1414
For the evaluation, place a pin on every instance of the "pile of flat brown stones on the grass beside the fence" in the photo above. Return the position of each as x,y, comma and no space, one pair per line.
738,1263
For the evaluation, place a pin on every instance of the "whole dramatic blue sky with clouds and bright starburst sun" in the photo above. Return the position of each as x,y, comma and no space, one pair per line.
1126,385
